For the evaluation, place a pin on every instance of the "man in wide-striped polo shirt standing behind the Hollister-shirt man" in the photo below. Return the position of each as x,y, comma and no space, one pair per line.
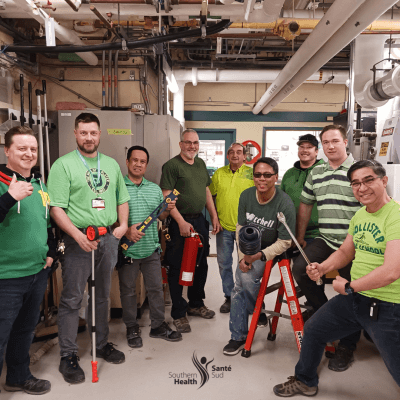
328,186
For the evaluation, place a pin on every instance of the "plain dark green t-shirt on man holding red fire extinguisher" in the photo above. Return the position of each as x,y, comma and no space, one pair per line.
190,180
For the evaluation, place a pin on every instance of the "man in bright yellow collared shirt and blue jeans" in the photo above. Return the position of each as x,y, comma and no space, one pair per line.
227,184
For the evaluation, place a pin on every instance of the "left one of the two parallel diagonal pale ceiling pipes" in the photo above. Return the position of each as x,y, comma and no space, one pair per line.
329,24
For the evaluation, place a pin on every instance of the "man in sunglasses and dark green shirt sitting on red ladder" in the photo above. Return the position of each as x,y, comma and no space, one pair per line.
259,206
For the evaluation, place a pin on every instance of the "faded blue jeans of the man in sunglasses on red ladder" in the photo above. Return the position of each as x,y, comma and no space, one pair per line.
243,299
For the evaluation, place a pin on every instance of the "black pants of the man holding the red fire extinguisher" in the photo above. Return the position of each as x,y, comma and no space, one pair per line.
173,258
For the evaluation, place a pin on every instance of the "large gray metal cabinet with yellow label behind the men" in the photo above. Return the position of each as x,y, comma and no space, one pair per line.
159,134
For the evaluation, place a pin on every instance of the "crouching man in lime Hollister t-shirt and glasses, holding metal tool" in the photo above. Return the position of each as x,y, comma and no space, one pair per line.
371,299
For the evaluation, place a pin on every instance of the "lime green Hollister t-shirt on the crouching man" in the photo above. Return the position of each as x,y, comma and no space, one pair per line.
371,232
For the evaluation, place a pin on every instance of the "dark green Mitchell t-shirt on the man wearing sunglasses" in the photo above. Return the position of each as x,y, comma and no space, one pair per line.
265,216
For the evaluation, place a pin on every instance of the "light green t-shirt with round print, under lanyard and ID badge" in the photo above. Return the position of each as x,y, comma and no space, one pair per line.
71,188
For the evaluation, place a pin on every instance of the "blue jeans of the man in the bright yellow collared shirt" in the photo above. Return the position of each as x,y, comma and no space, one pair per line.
225,244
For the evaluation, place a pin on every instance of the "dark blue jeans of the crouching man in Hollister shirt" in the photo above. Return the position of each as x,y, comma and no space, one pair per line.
341,316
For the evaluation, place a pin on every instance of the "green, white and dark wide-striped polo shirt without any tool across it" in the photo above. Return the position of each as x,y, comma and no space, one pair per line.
336,204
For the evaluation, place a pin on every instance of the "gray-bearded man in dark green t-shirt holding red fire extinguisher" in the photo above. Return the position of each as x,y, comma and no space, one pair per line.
188,174
